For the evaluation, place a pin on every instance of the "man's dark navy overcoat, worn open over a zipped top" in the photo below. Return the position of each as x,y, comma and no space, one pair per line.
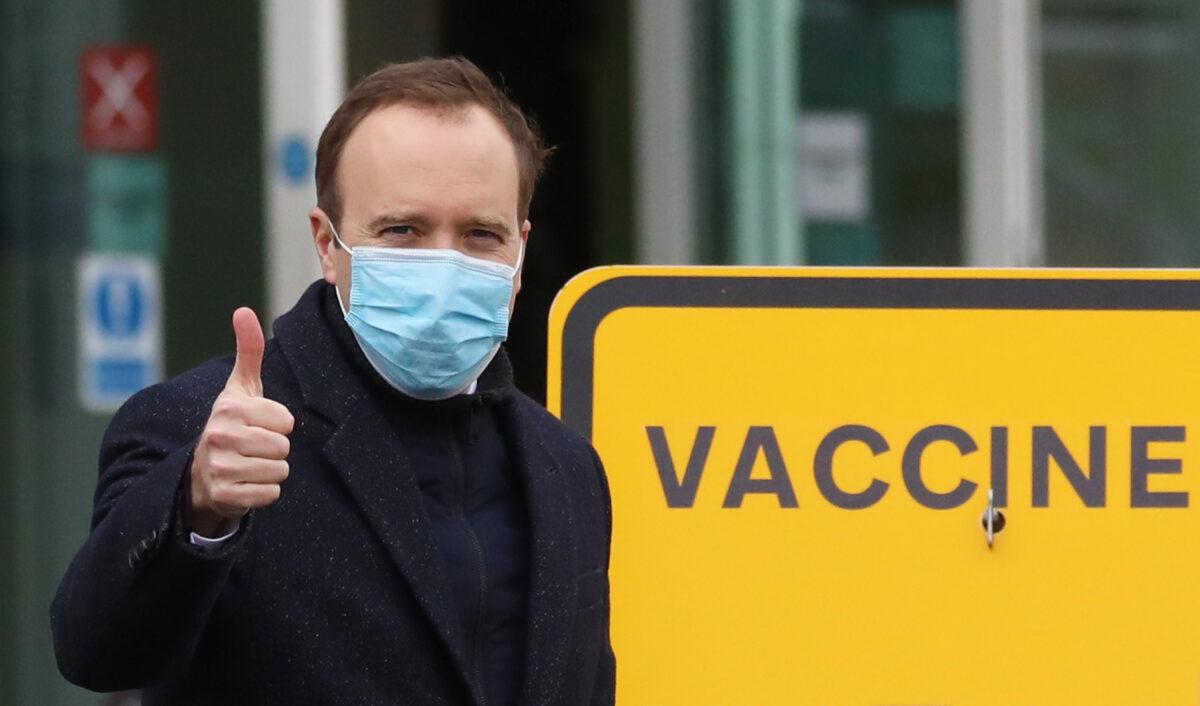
335,594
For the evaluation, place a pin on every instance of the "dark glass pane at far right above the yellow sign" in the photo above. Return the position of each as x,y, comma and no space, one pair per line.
1121,136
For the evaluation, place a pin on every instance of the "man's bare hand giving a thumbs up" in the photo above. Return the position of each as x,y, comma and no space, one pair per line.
241,459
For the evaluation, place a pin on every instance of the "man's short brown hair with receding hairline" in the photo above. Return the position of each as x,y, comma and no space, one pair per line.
441,85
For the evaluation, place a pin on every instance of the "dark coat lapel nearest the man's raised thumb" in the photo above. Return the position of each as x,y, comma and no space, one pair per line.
367,453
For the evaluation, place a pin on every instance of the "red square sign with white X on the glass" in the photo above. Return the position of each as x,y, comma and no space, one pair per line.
121,99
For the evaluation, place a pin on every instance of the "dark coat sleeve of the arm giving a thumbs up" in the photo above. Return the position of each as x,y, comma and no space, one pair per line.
137,596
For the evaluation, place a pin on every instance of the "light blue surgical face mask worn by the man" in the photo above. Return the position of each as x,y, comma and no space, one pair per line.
429,321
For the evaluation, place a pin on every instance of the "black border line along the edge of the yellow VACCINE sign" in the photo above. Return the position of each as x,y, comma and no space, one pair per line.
755,292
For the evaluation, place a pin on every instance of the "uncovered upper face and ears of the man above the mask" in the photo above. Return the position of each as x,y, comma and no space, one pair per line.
411,177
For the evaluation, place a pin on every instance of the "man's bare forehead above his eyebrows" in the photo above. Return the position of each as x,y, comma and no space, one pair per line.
409,157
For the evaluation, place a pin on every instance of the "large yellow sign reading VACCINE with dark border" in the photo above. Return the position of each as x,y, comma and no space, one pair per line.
887,487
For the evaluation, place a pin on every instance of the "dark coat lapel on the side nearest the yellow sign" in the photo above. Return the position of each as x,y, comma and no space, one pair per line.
553,582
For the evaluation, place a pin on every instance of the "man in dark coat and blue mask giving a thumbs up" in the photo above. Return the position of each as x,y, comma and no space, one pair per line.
364,510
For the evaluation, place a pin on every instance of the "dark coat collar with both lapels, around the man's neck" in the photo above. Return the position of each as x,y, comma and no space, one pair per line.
338,382
